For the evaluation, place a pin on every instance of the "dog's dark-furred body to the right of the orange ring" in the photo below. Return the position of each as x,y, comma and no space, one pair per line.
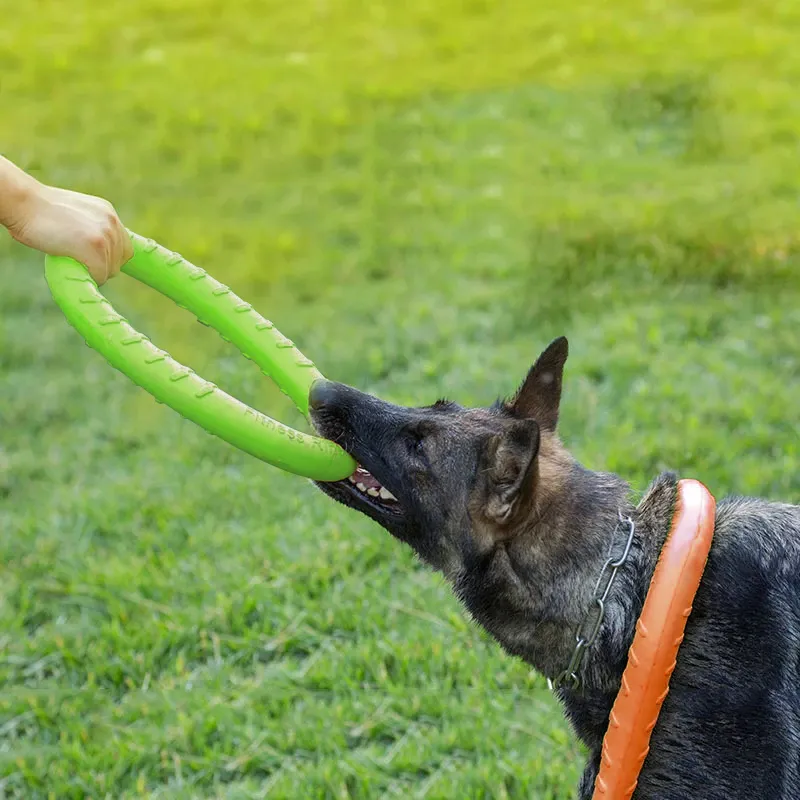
731,723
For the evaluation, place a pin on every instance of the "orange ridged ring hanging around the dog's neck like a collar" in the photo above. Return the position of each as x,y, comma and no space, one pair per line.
659,633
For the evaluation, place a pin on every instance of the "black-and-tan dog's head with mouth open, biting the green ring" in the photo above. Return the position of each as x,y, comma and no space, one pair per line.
450,481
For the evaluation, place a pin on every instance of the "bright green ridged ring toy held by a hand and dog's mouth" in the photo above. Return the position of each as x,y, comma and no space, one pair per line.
177,386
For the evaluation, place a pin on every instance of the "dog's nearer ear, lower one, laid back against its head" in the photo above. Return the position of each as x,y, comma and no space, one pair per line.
511,456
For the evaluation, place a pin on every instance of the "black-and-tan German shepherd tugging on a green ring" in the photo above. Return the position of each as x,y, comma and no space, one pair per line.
492,499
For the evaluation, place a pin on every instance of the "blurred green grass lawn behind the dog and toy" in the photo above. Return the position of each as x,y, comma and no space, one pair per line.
422,196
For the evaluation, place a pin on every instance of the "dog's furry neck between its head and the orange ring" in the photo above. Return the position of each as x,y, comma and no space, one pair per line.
538,585
